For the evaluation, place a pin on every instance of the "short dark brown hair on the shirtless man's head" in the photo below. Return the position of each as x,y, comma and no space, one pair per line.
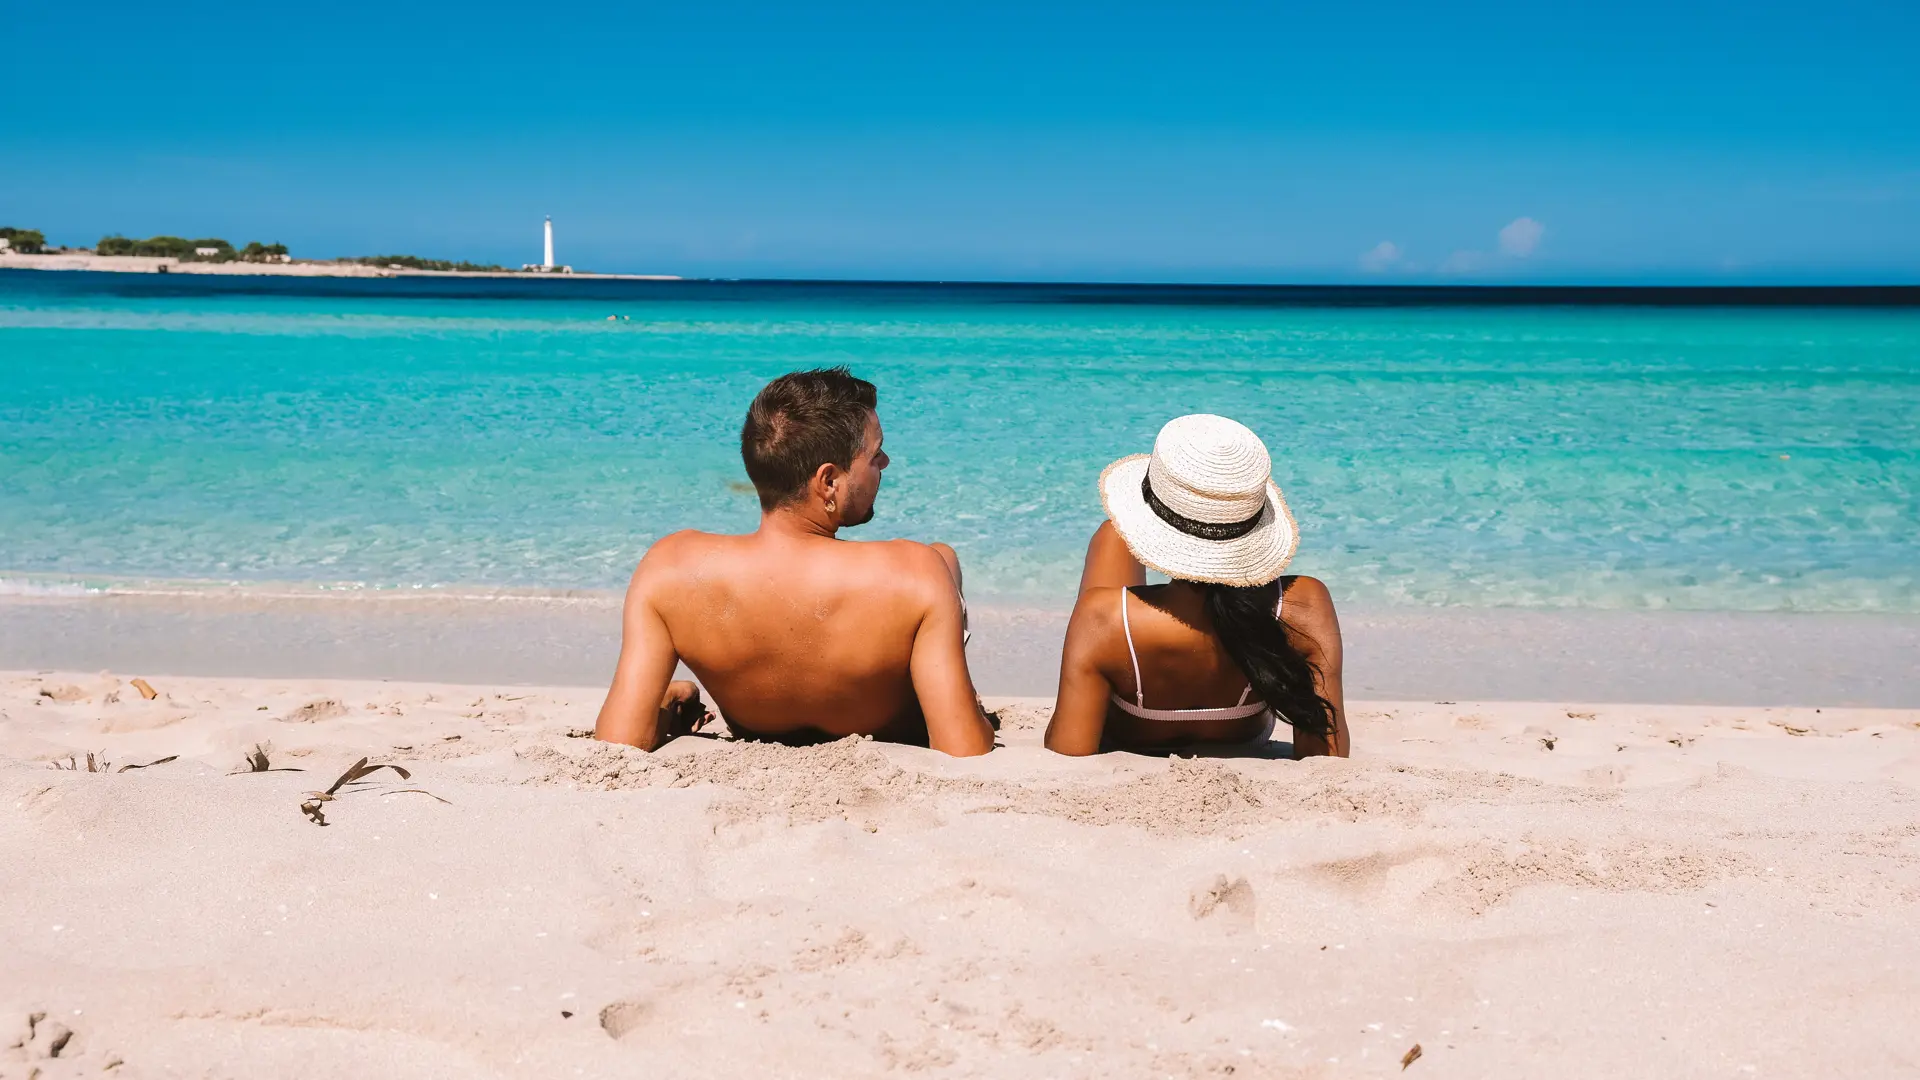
802,422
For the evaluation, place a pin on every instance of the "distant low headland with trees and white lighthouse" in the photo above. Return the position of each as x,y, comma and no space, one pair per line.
28,249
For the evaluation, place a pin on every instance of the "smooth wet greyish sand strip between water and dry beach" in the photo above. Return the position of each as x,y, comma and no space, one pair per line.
1698,658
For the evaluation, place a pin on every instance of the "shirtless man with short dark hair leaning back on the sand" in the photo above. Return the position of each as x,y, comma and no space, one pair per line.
800,635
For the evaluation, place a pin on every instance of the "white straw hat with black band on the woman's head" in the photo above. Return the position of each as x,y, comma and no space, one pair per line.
1203,504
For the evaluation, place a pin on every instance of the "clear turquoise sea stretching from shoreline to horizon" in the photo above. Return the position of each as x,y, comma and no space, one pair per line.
471,437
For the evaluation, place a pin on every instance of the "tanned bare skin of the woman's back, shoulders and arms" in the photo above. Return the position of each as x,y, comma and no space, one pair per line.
1182,662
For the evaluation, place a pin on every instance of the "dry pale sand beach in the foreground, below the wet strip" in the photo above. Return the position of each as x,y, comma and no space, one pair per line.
1514,889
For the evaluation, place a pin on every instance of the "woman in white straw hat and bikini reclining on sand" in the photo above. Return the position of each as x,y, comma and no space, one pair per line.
1224,649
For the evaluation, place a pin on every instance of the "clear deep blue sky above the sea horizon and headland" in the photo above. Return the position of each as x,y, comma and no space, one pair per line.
1111,141
